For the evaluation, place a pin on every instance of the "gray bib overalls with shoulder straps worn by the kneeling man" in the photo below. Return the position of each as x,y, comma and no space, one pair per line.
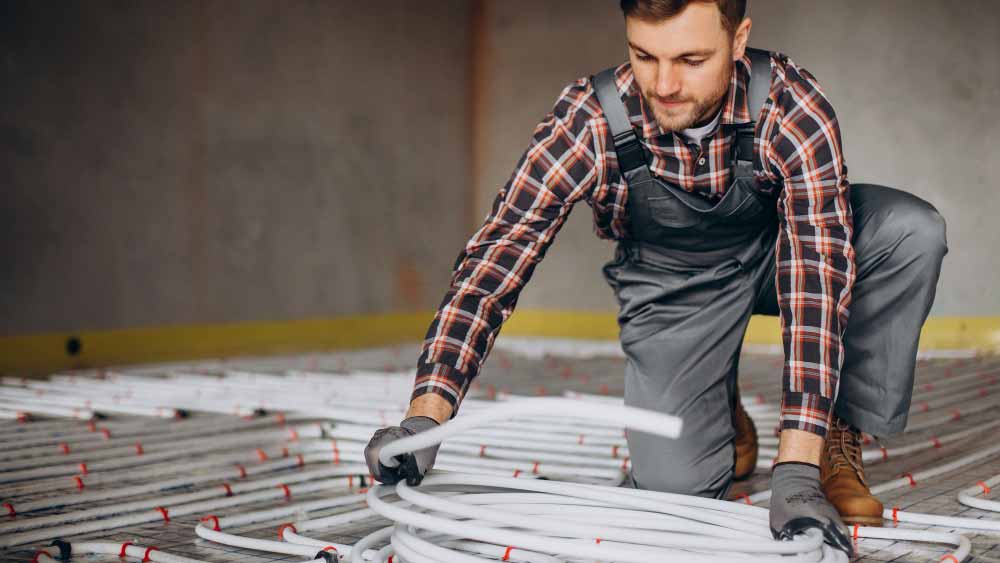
692,272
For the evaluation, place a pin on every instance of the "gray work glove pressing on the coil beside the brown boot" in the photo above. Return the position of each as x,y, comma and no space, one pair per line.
797,504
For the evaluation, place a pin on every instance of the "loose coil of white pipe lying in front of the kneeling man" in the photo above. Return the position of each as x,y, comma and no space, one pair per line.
594,541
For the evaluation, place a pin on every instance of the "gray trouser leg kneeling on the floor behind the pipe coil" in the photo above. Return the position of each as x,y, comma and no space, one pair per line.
682,333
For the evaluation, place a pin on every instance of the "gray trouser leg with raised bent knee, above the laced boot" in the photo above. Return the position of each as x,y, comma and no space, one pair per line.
899,243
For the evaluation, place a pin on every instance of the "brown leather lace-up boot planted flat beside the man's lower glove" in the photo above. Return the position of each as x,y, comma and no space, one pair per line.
843,477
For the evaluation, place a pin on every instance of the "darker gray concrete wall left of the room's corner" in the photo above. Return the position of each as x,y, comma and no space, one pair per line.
210,161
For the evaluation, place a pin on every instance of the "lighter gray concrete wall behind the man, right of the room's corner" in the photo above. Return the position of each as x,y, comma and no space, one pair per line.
915,84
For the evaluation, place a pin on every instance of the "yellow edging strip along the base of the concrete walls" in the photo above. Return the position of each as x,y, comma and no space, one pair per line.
46,353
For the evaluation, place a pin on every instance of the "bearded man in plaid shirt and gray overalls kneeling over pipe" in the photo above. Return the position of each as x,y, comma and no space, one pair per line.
720,173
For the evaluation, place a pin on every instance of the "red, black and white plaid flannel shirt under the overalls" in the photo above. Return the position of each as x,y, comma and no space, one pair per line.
571,158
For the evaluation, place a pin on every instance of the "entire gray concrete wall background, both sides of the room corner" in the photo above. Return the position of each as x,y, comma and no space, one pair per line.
208,161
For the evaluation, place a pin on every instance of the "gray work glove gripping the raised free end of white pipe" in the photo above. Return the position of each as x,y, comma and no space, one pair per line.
412,466
